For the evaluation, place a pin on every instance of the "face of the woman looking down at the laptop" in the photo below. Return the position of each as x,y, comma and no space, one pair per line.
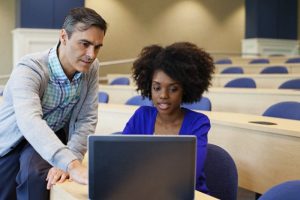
166,93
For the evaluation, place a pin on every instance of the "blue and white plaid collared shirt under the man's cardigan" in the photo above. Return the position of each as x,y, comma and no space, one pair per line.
61,94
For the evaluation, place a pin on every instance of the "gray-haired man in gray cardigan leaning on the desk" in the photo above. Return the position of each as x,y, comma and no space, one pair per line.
49,109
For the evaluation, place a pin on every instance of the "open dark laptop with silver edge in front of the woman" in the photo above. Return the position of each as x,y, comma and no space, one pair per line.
141,167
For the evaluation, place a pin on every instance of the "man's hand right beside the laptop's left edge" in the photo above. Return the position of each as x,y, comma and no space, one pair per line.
78,172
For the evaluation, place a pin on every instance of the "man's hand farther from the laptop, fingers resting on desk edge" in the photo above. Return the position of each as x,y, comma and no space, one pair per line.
55,175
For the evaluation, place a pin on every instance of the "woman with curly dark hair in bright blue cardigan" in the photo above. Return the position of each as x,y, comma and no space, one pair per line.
170,76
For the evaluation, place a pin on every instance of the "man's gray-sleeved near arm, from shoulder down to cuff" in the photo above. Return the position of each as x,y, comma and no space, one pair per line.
25,84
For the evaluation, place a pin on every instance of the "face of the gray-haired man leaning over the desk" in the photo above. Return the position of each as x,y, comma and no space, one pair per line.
78,52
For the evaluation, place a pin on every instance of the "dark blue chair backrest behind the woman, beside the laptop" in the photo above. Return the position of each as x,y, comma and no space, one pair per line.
221,173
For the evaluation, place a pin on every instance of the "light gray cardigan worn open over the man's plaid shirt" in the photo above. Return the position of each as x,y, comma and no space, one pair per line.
21,112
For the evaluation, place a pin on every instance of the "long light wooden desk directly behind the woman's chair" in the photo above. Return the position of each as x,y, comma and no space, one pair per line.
265,155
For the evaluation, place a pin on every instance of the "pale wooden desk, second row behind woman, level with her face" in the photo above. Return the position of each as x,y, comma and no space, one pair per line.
239,100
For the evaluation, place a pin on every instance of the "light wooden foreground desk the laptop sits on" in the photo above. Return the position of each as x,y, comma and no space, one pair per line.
74,191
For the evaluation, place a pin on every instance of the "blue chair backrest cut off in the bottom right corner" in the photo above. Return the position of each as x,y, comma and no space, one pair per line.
289,190
